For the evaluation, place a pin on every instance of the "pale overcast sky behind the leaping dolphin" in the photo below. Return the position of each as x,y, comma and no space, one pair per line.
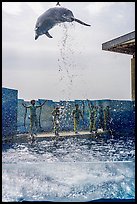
72,64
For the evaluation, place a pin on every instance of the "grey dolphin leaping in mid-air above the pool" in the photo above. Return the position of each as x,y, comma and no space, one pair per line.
52,17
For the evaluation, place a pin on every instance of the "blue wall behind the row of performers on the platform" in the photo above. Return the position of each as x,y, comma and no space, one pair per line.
122,114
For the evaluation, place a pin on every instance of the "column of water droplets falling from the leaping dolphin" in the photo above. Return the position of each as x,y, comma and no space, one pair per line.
66,62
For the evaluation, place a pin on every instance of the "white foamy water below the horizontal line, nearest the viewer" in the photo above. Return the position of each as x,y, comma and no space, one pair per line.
66,181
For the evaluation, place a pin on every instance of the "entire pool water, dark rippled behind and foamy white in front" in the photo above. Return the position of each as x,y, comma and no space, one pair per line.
69,170
